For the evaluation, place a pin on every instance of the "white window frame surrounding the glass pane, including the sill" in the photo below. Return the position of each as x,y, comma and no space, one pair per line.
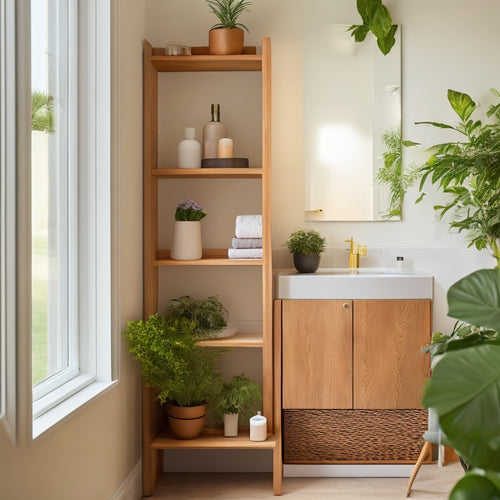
95,372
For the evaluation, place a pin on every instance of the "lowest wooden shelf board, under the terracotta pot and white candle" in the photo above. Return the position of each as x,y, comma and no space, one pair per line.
213,439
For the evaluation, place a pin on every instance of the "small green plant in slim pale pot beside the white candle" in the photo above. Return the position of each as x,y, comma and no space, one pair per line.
236,399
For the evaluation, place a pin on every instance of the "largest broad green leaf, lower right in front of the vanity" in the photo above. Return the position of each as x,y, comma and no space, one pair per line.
465,393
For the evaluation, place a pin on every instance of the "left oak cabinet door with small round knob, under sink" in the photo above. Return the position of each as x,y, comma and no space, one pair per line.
317,354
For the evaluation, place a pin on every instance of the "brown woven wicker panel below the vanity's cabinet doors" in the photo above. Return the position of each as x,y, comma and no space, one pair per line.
353,436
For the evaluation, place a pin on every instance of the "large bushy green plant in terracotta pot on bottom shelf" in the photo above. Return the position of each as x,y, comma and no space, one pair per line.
184,373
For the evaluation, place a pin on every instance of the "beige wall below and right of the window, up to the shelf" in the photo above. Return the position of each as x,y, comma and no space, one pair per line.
91,453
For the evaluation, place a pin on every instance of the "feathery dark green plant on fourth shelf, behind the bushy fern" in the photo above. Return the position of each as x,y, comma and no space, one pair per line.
207,314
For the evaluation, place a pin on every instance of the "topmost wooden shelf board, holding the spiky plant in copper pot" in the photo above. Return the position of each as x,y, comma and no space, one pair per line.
238,62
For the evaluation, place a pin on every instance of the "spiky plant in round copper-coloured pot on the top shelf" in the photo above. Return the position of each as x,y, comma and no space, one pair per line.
226,37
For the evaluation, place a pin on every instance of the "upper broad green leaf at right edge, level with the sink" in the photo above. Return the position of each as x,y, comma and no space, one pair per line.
475,299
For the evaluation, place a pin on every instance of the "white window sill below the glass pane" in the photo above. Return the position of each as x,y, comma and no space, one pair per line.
65,408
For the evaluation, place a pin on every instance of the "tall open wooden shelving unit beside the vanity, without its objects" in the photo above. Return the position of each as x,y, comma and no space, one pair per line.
156,435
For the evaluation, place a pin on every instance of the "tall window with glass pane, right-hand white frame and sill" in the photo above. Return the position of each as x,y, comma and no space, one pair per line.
70,199
